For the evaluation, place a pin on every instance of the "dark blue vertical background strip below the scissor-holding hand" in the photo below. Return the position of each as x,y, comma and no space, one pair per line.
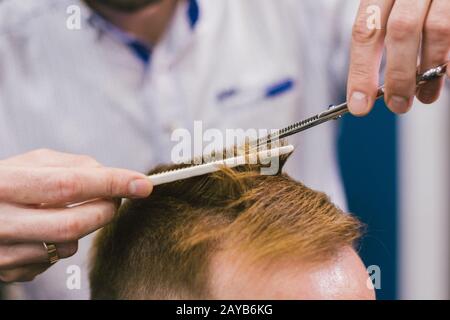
368,162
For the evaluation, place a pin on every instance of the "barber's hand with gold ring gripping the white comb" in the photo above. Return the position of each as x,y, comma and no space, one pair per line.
36,190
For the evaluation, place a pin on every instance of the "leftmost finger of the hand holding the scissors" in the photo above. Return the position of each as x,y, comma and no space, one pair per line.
368,36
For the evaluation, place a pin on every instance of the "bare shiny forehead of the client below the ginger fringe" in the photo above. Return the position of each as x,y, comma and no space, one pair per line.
341,277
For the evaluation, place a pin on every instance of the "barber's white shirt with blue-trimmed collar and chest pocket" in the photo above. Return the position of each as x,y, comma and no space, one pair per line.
81,91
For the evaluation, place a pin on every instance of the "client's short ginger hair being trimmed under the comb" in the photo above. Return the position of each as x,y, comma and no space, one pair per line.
160,247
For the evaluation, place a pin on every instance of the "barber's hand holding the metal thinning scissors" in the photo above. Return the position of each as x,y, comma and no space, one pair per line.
409,29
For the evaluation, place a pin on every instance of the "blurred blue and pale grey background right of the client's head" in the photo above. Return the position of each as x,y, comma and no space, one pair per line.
396,172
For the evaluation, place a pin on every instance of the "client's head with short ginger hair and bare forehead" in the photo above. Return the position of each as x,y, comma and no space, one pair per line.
234,234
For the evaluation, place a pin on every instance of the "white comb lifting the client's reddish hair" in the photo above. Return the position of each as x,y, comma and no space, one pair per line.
199,170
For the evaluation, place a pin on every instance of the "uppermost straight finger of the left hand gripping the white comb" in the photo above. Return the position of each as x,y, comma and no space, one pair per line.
27,185
